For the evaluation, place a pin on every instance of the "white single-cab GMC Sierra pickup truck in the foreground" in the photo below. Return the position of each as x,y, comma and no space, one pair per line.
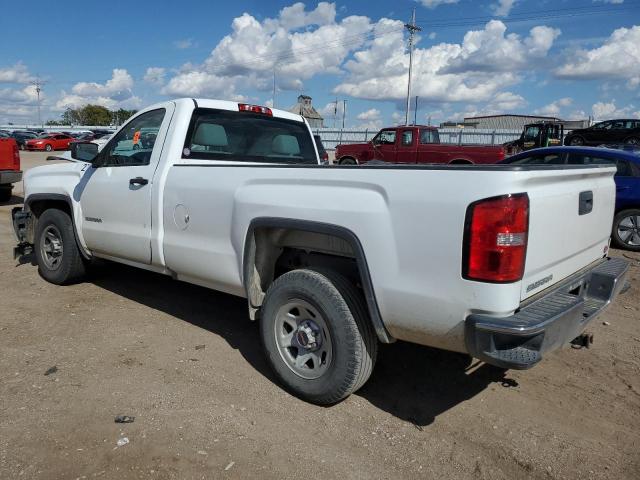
506,263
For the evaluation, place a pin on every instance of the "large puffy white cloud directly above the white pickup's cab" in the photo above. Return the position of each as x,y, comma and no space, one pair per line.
254,49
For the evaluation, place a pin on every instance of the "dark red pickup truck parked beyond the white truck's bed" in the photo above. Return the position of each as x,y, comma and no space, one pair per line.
415,144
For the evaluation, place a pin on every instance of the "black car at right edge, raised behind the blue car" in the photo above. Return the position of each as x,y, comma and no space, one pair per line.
611,131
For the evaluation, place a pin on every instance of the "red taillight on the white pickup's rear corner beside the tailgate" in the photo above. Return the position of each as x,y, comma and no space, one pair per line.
495,239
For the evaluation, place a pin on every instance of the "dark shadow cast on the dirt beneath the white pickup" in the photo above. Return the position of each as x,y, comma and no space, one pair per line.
411,382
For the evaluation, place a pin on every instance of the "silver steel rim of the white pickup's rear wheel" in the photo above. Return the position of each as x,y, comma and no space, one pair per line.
303,339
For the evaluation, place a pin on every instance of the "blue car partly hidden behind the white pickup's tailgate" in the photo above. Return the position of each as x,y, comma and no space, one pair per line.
626,223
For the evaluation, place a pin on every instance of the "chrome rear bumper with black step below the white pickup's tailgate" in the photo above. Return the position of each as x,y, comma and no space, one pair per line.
548,322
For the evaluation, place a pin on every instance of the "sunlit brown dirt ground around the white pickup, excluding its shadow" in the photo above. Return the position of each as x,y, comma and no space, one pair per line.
187,363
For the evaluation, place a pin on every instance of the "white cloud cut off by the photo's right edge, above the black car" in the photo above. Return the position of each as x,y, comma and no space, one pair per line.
617,58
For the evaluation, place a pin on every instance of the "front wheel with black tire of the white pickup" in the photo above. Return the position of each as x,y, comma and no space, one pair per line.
70,266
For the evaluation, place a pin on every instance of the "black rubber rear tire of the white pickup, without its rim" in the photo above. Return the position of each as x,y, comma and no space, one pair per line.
353,339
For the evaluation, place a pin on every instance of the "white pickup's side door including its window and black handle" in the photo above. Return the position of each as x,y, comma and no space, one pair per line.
115,195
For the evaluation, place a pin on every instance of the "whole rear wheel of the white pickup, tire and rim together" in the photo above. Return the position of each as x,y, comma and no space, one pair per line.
317,336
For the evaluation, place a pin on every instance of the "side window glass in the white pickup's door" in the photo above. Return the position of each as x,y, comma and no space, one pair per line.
134,143
